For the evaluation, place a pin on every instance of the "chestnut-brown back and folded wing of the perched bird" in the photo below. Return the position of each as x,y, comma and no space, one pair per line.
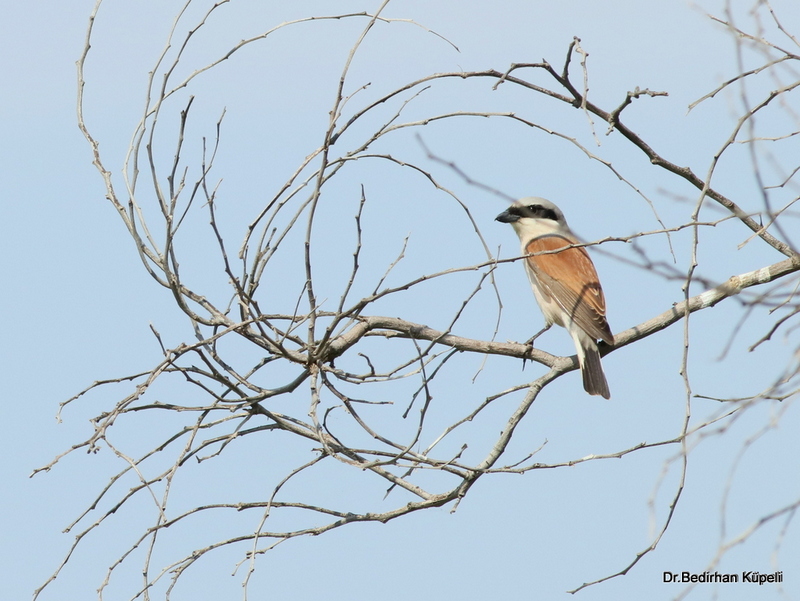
570,278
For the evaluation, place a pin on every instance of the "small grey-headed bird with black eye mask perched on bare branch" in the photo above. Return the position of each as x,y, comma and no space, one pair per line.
564,282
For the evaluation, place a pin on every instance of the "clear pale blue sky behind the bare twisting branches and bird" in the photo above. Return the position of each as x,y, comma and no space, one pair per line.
78,303
